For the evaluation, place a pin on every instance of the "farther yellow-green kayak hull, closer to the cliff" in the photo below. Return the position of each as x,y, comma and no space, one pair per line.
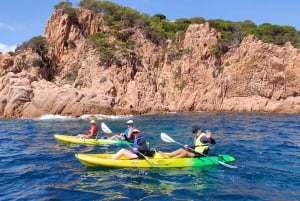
68,139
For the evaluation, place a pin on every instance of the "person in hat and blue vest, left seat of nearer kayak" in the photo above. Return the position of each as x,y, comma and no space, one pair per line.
138,149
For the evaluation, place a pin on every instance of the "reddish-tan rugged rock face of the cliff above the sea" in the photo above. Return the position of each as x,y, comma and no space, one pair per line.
254,76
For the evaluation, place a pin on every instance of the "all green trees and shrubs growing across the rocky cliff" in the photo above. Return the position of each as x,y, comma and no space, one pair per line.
124,21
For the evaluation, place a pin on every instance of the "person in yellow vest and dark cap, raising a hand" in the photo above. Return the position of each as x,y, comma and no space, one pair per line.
201,147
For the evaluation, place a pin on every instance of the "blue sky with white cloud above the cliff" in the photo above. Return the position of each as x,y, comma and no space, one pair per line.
20,20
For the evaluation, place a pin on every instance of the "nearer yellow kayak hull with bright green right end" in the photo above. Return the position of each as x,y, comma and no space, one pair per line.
104,160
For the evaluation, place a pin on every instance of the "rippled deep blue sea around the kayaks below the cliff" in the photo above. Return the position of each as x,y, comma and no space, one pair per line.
34,166
